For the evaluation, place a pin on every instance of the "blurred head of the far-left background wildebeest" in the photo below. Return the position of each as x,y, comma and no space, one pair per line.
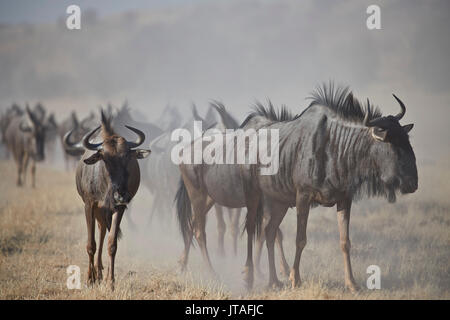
36,130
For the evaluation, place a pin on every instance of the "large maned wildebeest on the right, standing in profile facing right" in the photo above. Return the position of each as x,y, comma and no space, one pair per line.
332,154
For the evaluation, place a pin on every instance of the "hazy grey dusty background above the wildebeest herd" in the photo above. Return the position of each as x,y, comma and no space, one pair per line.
157,52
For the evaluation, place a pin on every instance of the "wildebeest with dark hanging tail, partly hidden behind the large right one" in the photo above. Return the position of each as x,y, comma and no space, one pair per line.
204,185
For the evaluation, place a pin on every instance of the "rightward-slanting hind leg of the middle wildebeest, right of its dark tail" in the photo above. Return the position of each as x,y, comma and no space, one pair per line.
201,206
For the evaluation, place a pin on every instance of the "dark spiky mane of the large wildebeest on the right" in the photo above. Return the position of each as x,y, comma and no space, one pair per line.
341,100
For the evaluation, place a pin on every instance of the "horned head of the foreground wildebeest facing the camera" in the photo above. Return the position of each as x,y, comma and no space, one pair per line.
119,157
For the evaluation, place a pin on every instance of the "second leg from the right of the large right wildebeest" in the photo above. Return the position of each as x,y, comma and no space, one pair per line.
302,205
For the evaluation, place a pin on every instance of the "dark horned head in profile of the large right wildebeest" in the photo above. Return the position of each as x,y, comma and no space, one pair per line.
393,152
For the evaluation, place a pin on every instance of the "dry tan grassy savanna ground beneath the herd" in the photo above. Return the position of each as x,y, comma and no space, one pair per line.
42,232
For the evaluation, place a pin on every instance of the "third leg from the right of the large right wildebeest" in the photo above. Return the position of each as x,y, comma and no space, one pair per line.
277,212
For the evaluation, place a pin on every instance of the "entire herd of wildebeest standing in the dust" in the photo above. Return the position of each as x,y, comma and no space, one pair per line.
334,152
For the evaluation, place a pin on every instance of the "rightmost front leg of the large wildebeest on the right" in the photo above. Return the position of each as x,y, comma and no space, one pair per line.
343,215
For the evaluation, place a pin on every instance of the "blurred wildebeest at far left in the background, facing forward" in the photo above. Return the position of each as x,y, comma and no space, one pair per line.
25,138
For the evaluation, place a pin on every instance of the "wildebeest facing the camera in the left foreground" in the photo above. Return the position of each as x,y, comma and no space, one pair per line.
107,178
